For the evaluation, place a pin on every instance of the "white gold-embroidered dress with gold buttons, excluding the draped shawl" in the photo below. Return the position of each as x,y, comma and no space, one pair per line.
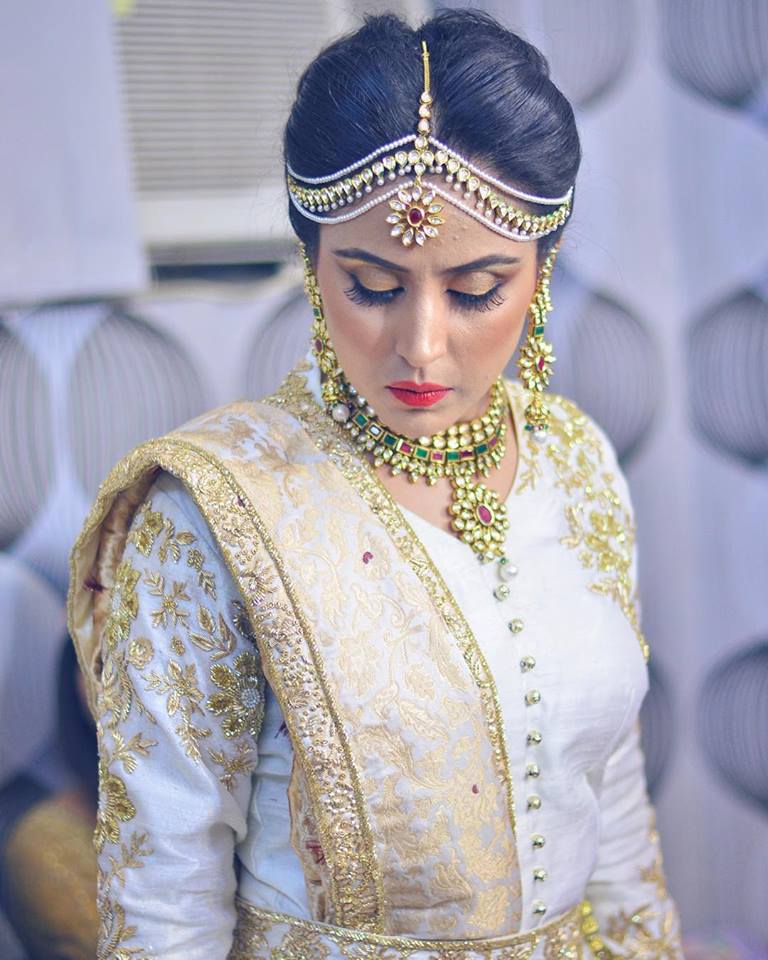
198,770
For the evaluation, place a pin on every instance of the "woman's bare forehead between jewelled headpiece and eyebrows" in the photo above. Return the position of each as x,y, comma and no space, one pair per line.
460,238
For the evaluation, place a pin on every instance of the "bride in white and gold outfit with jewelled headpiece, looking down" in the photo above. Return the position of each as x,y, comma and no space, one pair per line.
366,655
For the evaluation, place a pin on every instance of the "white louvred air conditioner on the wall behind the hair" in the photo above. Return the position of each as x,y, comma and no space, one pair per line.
207,85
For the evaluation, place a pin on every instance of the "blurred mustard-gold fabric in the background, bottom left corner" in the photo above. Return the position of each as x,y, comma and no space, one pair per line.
50,878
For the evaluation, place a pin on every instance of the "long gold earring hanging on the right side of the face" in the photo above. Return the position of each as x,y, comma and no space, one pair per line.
536,357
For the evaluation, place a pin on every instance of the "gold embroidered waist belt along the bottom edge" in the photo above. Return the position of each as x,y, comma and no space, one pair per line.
264,935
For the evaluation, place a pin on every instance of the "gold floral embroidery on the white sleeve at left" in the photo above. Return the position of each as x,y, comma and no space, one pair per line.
117,698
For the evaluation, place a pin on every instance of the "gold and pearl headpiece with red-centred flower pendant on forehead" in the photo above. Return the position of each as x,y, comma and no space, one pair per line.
414,210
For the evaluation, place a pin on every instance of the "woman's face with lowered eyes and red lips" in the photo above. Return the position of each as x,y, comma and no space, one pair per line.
449,313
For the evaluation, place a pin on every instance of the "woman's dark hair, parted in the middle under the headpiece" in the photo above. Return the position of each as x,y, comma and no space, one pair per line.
493,102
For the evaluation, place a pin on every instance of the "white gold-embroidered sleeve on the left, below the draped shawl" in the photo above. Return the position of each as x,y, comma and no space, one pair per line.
179,712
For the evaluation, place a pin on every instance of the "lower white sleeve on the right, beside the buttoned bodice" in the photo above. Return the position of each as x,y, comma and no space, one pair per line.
627,890
